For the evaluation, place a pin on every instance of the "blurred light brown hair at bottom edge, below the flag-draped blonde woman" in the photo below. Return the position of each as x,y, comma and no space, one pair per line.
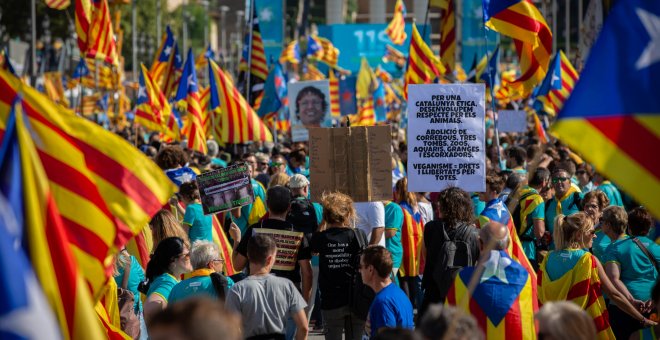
566,320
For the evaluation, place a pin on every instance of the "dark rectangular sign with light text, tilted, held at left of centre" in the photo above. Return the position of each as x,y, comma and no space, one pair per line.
225,189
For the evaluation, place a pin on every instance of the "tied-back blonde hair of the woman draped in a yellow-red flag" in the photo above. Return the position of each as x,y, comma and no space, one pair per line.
570,230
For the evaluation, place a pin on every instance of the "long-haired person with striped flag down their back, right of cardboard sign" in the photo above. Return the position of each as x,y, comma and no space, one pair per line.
412,231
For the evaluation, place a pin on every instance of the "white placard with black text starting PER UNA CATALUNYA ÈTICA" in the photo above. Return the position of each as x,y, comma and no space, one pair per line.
446,137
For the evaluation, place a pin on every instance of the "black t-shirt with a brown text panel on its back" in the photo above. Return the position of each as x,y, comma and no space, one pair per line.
291,247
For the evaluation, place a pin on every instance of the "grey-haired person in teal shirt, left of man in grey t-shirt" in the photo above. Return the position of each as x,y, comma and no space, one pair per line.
206,279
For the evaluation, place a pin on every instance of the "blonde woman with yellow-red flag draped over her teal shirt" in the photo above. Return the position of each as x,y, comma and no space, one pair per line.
572,273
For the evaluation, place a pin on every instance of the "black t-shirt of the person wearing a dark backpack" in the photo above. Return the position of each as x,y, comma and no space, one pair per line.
432,242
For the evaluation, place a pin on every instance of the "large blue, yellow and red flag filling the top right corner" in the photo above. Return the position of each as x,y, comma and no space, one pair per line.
616,132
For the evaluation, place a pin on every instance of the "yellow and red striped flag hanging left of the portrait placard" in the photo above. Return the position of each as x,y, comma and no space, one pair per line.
238,122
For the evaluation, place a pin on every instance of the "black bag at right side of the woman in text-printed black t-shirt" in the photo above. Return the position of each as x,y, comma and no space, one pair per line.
361,296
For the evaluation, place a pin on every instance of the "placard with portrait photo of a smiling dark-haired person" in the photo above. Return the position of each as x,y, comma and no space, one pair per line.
309,105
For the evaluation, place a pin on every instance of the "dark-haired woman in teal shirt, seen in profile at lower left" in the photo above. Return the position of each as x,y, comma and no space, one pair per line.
170,260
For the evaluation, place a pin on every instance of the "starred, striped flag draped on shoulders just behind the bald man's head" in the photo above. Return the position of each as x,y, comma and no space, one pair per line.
497,211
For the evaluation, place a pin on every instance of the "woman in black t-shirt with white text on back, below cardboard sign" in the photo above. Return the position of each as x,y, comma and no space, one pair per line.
338,249
